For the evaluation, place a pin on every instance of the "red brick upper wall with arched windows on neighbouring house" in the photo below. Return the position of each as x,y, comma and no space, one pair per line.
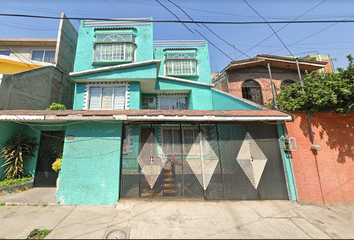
260,75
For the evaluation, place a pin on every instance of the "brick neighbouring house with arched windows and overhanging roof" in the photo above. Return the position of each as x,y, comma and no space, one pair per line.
250,78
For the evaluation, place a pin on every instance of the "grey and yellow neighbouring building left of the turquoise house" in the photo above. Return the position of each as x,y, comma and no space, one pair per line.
34,73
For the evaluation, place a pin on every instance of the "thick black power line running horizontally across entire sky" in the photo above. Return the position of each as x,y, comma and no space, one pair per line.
181,21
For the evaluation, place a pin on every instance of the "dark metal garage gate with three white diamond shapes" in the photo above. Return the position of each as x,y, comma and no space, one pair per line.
213,161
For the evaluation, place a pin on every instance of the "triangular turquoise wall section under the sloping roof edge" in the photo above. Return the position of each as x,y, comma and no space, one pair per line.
225,102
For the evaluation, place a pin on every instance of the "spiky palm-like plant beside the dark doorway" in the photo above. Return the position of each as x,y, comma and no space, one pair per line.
15,152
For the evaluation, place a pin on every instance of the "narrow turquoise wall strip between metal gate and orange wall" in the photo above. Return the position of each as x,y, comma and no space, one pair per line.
288,167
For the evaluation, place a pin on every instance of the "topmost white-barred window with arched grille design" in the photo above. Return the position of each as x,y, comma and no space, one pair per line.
115,42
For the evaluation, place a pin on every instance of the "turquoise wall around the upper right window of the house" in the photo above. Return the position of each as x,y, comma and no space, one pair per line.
203,62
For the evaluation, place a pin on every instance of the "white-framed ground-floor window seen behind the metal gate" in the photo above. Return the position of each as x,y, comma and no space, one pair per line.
171,140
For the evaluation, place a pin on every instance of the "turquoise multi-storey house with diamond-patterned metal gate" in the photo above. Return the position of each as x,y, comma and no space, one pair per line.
147,122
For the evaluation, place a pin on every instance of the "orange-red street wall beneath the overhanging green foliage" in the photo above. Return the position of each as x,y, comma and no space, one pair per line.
335,134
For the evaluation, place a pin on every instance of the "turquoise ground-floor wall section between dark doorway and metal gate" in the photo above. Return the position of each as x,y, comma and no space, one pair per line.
91,164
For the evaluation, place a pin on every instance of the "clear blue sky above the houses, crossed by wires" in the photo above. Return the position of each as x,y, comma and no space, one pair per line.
226,42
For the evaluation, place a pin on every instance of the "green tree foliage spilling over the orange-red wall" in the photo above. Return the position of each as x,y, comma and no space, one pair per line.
323,92
